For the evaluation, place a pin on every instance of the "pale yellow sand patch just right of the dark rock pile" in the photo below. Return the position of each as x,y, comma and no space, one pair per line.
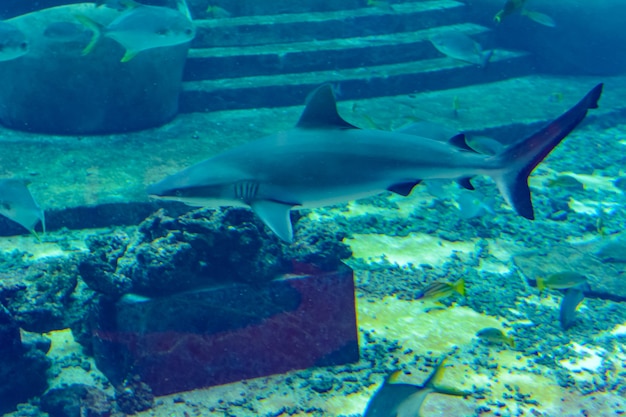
415,248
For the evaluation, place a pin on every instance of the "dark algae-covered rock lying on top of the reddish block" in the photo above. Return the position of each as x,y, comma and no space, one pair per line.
202,248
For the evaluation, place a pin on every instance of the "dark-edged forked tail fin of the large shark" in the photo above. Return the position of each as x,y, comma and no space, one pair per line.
520,159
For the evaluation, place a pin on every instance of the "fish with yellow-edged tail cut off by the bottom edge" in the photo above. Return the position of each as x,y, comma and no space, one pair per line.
394,399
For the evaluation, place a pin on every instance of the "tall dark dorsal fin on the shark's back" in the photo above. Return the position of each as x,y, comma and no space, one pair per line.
321,111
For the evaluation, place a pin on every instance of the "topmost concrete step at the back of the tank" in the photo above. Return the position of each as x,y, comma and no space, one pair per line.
301,27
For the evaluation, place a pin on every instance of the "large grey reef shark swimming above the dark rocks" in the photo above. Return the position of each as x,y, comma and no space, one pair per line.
325,160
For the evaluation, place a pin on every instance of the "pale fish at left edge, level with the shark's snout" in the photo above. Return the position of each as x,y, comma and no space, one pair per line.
18,204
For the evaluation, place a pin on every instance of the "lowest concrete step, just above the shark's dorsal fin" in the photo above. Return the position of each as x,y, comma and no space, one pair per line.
353,83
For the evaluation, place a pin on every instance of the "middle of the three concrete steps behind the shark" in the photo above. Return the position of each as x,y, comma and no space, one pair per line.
316,55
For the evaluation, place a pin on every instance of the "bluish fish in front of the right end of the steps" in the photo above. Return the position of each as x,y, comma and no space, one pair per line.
459,46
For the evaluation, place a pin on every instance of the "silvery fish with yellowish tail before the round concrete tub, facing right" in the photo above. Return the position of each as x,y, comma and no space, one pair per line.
142,28
